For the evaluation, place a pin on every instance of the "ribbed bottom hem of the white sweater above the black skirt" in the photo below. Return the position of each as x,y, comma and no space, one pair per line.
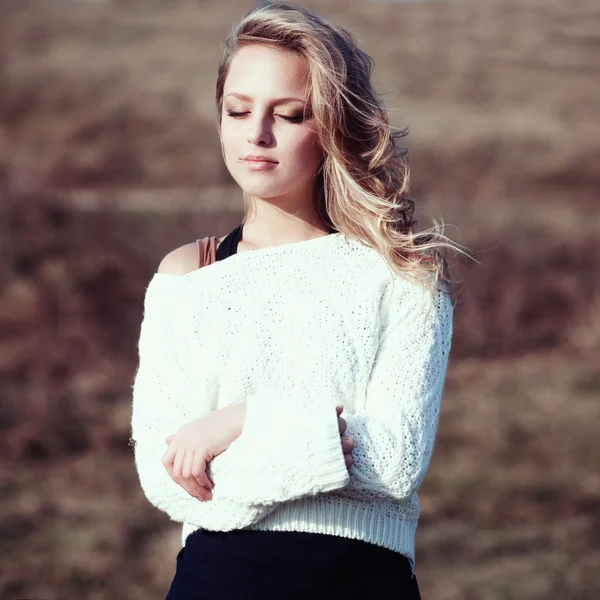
344,517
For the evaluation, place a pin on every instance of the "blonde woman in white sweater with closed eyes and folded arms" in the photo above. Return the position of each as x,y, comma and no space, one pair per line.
324,299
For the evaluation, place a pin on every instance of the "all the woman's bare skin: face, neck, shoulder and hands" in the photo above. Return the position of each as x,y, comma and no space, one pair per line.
282,212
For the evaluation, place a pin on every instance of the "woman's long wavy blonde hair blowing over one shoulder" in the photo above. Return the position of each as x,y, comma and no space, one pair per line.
362,183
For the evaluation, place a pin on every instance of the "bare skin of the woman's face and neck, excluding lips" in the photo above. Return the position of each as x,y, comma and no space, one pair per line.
257,124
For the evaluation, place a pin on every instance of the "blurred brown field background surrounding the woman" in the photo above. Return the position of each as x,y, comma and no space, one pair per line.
109,158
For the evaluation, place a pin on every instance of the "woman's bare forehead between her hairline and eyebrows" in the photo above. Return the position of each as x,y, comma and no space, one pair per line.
264,72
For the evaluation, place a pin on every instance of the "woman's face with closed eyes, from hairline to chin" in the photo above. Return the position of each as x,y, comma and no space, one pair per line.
263,101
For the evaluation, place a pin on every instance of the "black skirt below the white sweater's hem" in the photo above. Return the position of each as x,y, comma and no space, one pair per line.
288,565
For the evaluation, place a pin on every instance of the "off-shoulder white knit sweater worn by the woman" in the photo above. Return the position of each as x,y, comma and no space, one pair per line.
294,330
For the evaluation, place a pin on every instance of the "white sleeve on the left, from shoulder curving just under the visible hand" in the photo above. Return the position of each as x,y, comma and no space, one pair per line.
161,392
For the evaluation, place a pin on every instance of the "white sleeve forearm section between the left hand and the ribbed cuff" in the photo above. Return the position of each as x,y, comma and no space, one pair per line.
282,453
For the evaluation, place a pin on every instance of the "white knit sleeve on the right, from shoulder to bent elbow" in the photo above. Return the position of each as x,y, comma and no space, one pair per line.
394,432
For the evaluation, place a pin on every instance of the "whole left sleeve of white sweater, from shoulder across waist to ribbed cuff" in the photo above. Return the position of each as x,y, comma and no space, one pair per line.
267,464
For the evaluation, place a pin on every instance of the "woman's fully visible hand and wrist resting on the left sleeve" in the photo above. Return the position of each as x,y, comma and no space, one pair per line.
196,443
